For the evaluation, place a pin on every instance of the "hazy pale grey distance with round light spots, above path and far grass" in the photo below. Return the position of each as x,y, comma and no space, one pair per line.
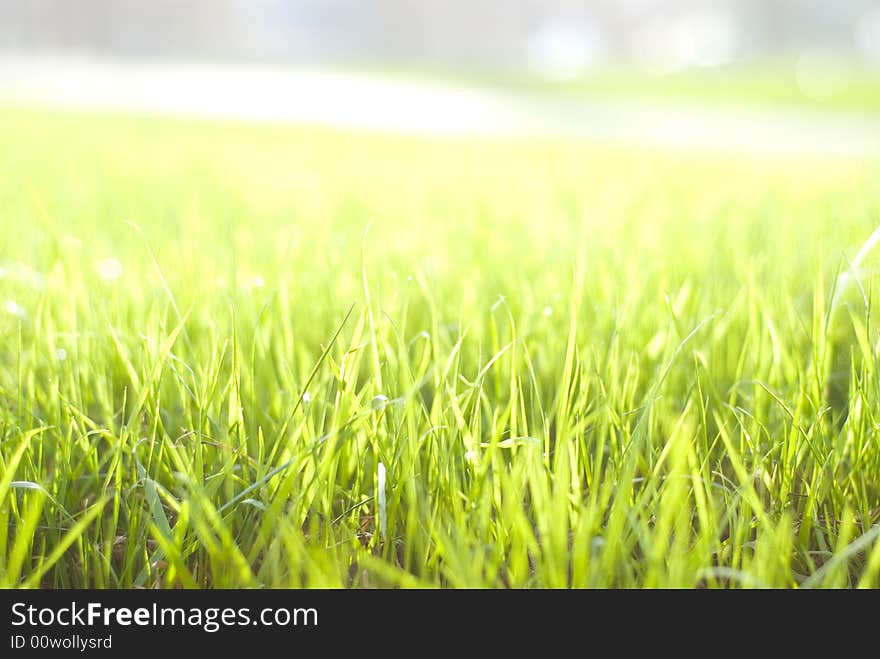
552,38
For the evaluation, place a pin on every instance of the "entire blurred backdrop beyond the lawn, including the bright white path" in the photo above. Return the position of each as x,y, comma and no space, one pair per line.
247,58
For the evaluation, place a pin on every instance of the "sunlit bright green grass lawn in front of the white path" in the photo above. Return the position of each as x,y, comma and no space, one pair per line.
577,367
